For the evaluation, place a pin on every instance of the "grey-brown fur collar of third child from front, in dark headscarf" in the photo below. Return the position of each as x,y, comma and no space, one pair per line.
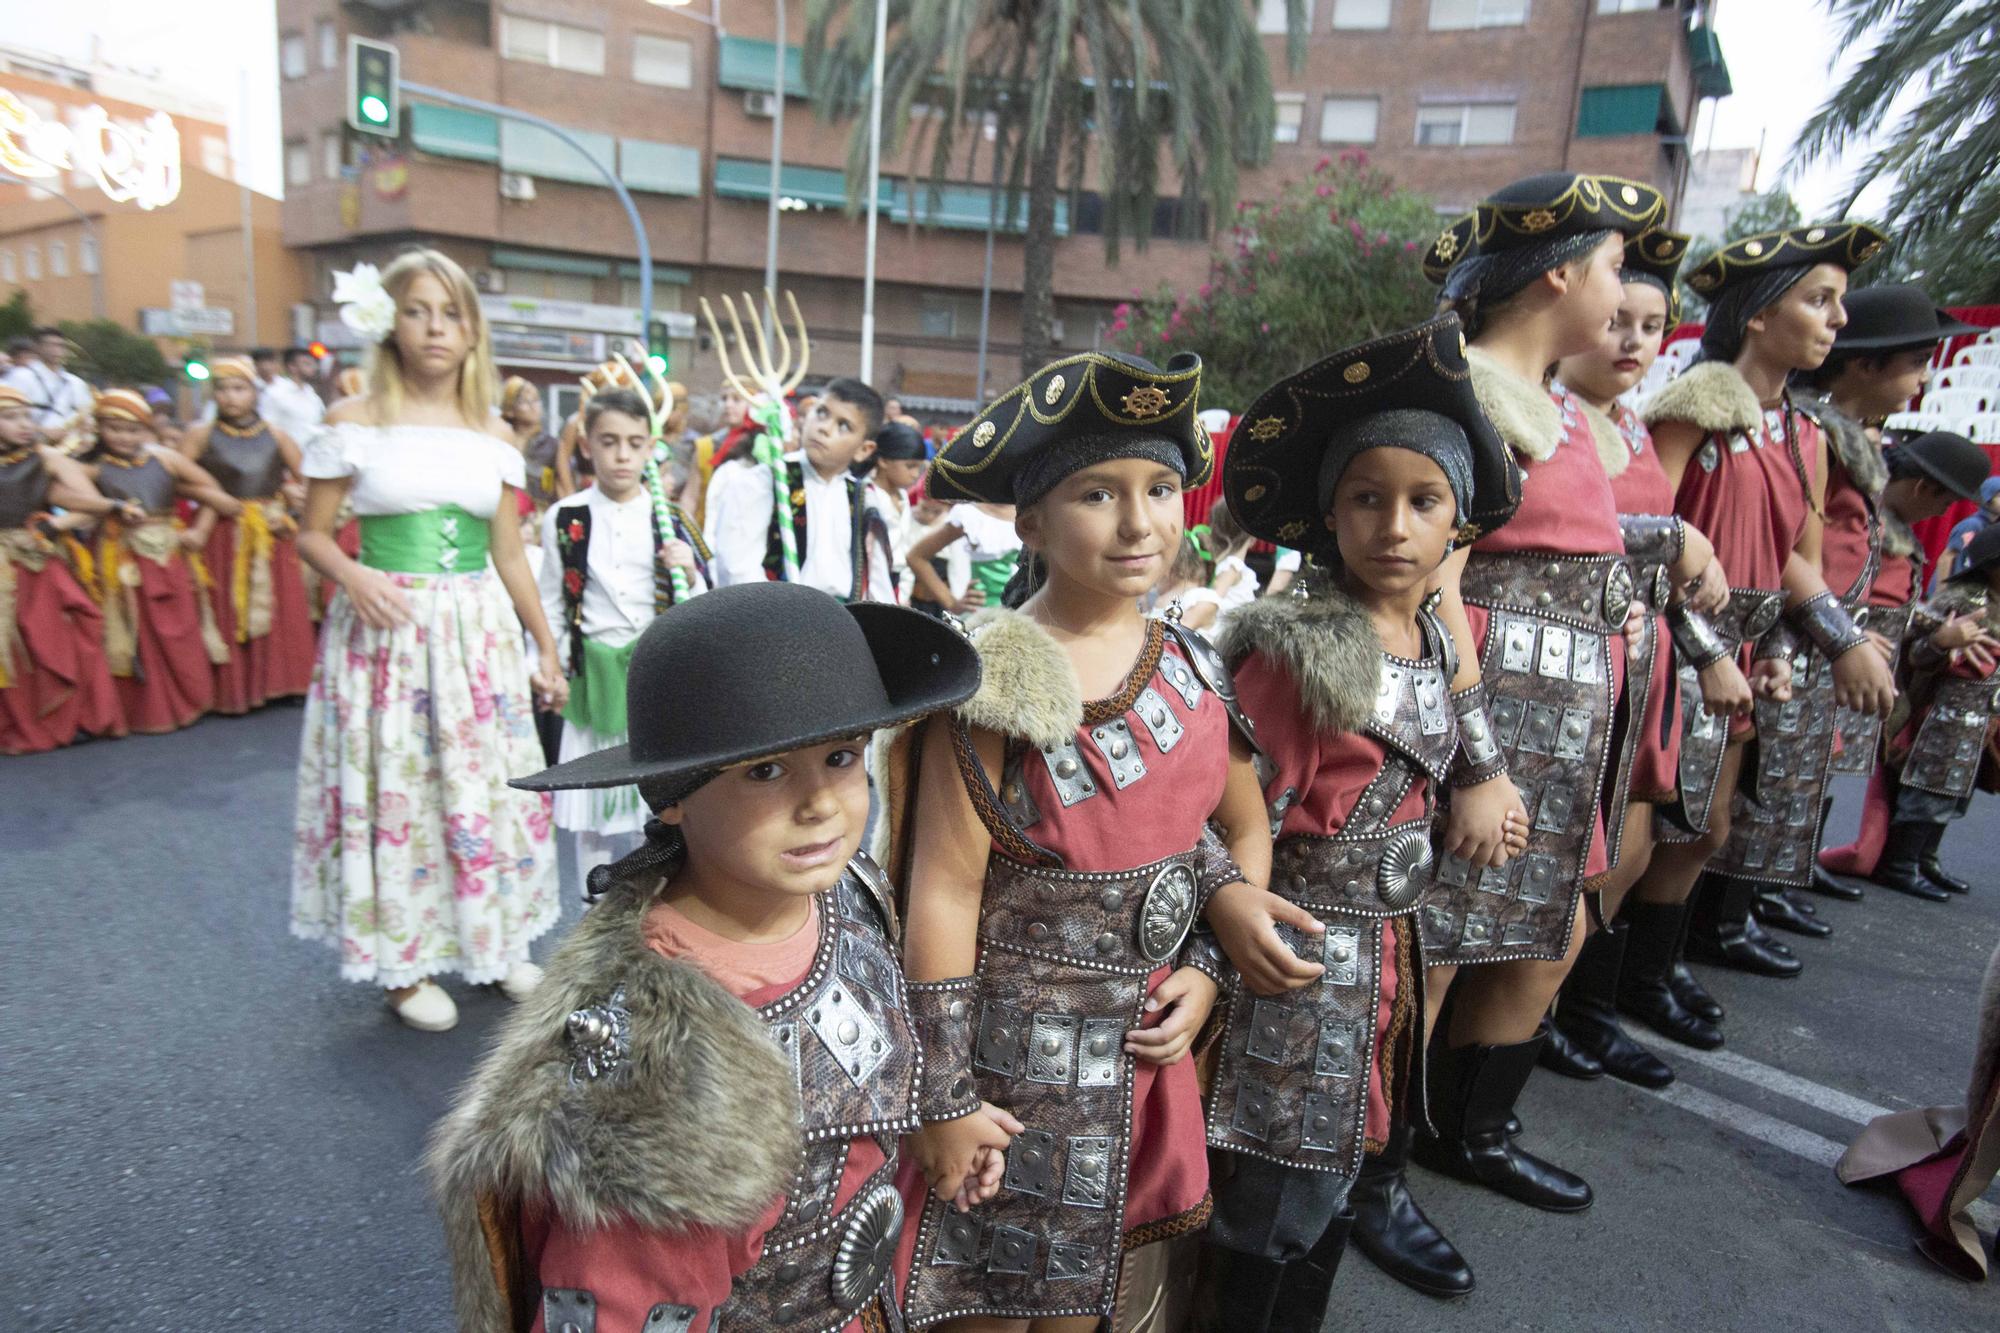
1329,647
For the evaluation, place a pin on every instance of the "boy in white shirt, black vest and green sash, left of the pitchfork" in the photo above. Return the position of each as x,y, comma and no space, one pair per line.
617,553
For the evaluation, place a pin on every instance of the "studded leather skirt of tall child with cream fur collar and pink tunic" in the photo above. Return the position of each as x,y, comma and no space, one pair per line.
1551,694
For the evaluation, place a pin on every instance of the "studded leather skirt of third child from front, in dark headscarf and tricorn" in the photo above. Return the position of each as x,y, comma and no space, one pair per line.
1293,1078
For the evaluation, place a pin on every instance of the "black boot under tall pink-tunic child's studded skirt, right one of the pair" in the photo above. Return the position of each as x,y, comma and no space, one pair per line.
1473,1096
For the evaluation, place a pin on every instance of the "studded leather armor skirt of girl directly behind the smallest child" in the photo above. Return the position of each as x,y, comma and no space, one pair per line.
1063,976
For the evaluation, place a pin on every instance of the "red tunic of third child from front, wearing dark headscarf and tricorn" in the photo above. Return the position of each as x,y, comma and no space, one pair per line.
1329,774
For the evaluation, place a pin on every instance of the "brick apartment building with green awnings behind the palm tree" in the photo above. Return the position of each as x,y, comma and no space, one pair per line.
681,99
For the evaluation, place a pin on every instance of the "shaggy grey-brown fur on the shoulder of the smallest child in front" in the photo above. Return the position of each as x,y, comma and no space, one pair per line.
703,1128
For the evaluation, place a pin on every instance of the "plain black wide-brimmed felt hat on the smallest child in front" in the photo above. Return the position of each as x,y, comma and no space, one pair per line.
759,670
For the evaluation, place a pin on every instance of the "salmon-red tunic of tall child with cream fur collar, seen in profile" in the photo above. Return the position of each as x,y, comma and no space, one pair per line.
1567,507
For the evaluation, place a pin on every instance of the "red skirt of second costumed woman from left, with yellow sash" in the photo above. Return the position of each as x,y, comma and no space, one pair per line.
167,674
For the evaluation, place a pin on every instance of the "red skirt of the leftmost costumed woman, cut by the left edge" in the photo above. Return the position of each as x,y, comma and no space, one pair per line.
57,680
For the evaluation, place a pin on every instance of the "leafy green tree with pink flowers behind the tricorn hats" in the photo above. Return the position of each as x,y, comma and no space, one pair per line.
1329,263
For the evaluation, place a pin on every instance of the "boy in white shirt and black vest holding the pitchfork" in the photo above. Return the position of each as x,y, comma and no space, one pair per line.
841,535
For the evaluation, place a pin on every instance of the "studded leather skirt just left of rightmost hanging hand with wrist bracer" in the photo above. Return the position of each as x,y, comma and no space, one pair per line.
1775,822
